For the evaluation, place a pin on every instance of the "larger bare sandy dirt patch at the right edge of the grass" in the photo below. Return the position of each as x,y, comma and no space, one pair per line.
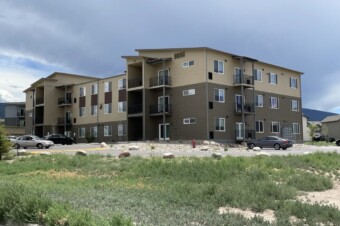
328,197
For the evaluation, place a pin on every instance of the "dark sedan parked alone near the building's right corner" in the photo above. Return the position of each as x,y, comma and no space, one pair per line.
271,142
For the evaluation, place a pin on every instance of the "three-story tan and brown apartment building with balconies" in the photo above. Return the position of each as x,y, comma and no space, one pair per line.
178,94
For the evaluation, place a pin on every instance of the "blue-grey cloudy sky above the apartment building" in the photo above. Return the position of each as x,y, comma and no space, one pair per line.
39,37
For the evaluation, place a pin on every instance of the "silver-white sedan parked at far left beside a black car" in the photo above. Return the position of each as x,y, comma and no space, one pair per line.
27,141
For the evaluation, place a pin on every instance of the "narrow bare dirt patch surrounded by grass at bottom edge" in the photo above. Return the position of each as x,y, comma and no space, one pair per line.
267,215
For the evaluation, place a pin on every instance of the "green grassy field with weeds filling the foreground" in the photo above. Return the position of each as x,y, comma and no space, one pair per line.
98,190
